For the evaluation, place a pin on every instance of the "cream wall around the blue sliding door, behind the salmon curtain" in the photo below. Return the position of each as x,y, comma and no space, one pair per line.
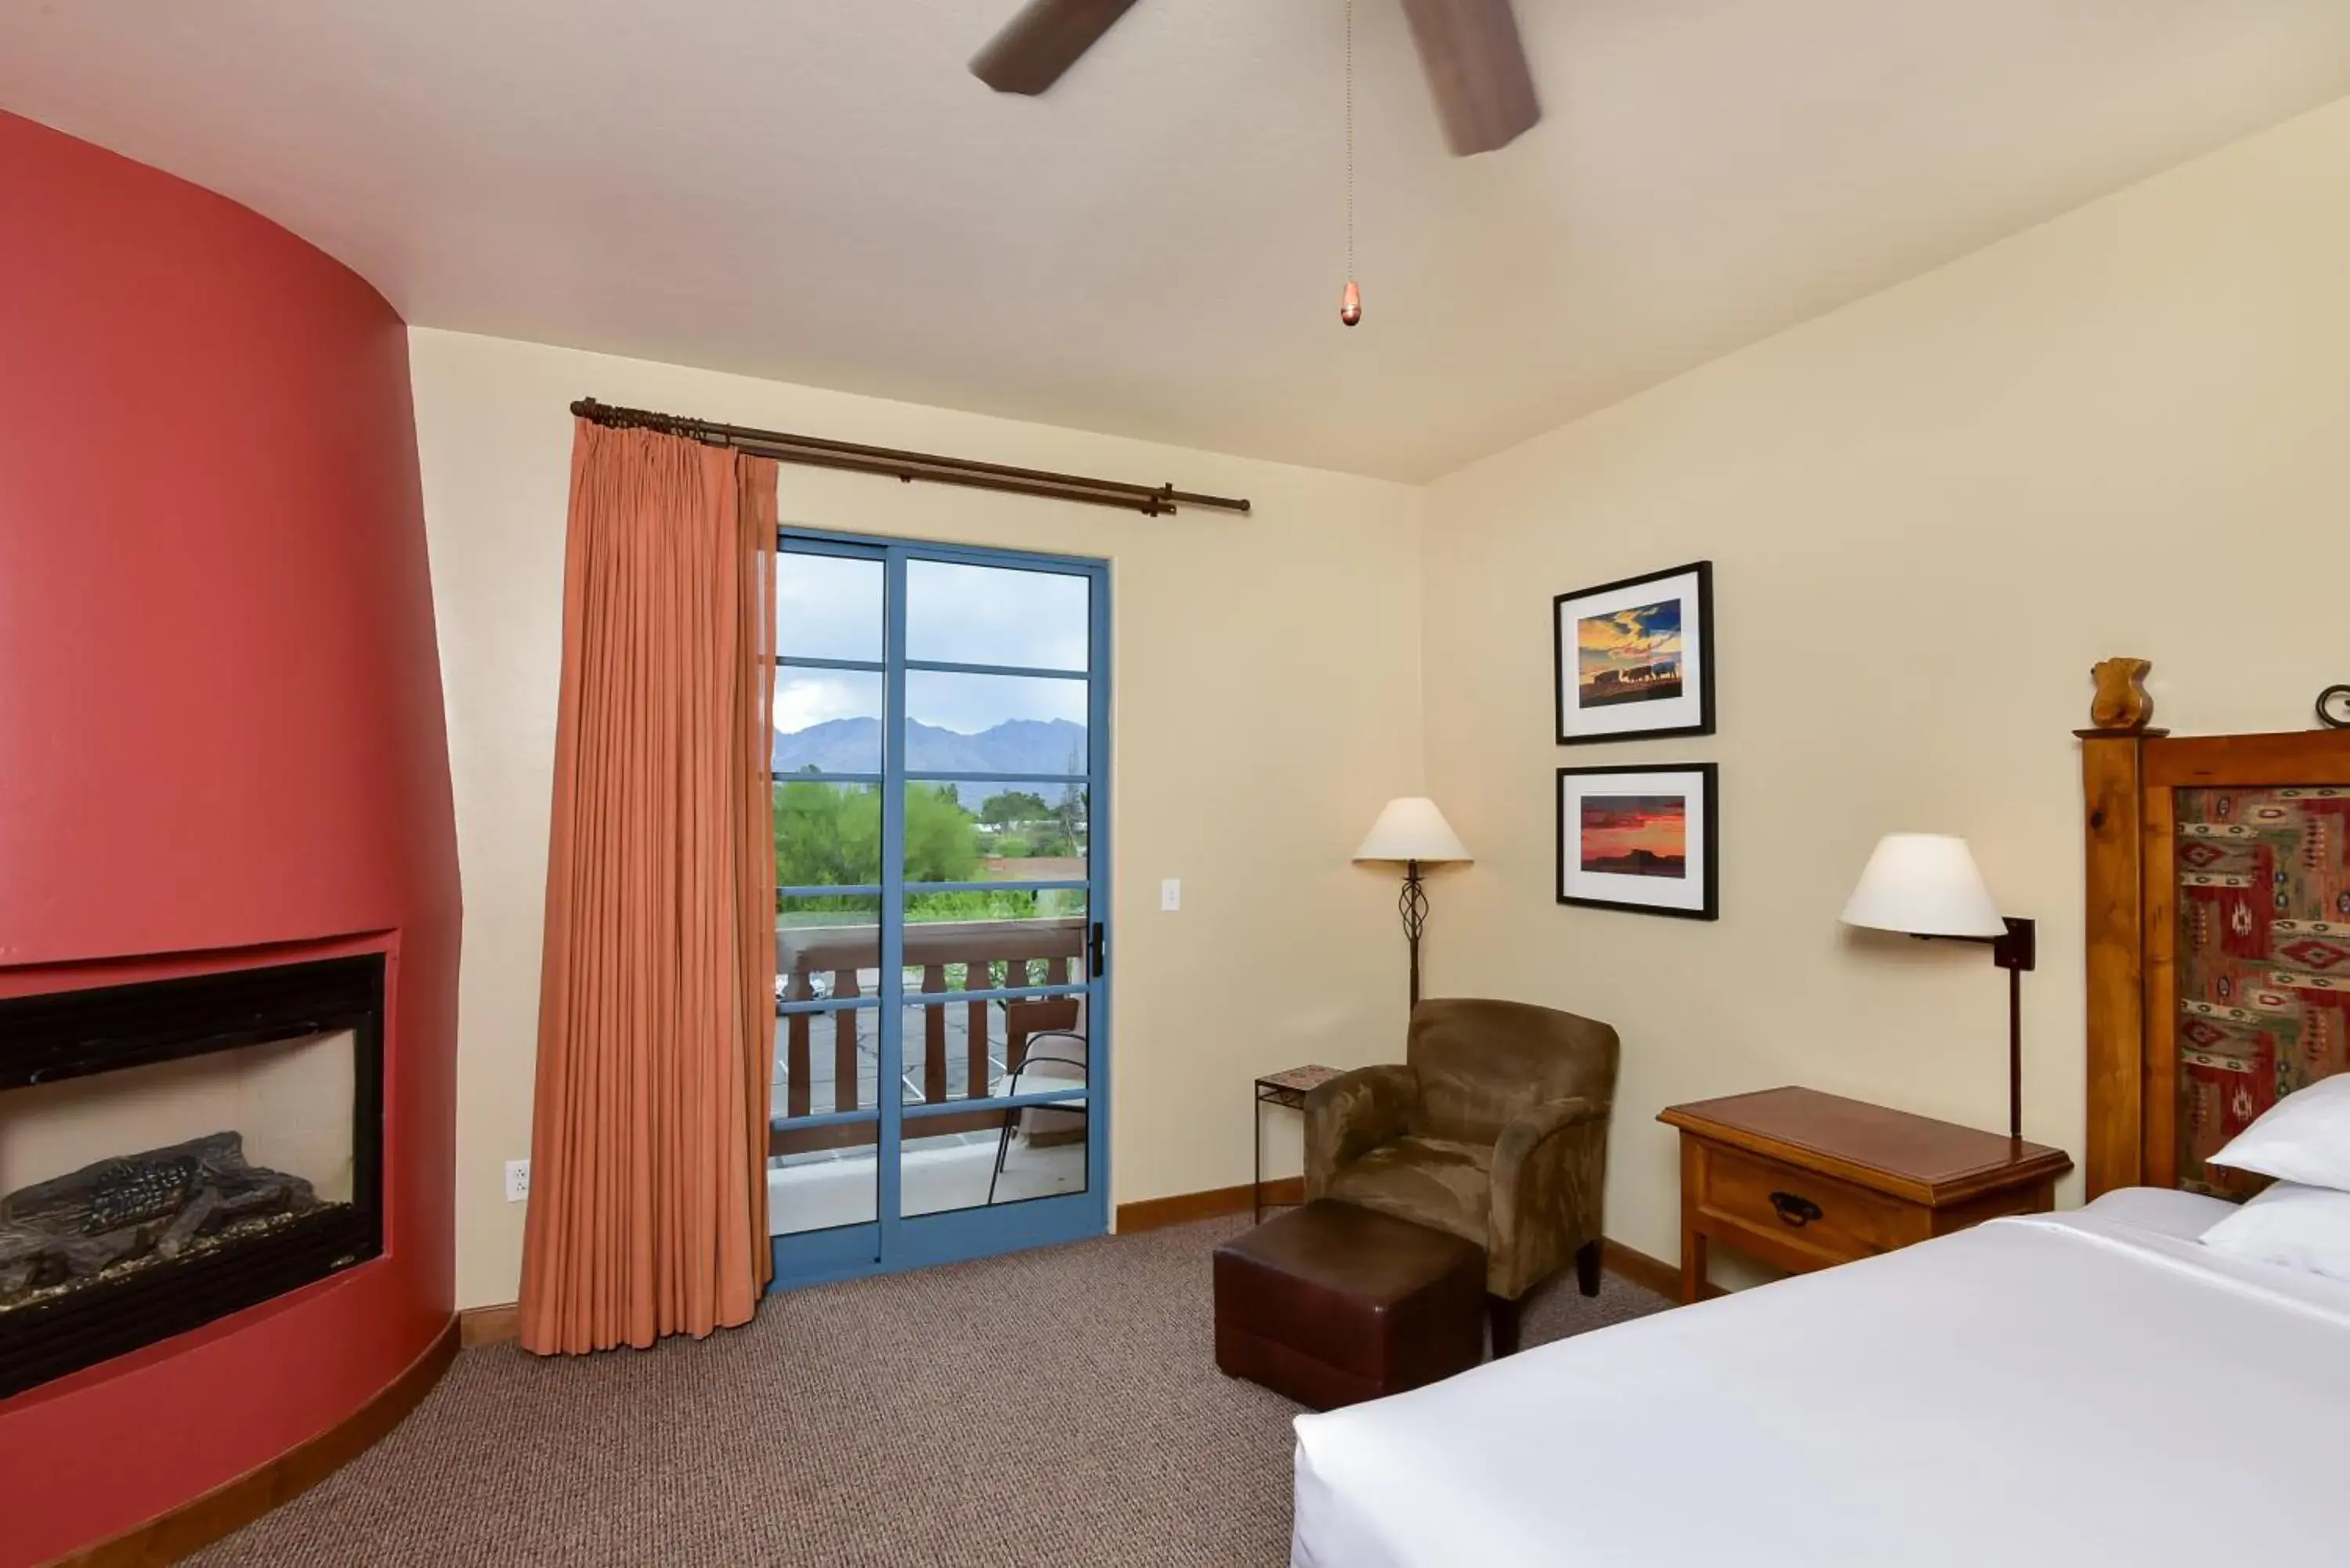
1268,702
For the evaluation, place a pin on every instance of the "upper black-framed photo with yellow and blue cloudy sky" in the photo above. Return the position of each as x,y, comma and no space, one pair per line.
1637,657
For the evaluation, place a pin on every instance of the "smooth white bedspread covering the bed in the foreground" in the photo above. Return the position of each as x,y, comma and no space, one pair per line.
2064,1391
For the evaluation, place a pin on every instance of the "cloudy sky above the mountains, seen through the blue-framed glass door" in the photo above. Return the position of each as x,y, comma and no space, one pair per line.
831,608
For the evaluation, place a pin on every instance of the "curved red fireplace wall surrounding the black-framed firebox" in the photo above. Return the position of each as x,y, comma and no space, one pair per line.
220,728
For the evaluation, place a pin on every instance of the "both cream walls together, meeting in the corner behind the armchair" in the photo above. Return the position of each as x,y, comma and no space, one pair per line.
1931,511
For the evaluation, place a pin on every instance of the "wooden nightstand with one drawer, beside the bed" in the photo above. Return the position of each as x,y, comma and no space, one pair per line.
1804,1179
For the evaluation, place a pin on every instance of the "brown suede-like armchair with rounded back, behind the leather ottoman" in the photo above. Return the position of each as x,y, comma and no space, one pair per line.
1493,1130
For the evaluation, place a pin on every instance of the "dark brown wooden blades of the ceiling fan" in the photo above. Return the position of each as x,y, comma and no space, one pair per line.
1470,51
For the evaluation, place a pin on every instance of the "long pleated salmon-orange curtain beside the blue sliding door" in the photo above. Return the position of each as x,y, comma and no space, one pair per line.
659,977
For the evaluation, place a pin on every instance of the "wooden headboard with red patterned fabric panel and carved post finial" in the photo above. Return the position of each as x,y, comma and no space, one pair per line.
2217,927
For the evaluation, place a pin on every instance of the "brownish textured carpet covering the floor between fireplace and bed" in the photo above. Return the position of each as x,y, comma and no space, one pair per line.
1054,1407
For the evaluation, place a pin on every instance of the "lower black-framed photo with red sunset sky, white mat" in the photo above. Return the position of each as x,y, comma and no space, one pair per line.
1641,838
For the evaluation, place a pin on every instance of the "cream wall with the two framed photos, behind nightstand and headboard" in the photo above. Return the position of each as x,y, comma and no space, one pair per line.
2121,434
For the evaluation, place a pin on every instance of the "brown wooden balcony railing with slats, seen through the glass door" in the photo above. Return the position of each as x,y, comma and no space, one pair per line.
845,965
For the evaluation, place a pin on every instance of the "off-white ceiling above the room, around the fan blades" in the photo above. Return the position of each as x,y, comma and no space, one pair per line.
819,192
